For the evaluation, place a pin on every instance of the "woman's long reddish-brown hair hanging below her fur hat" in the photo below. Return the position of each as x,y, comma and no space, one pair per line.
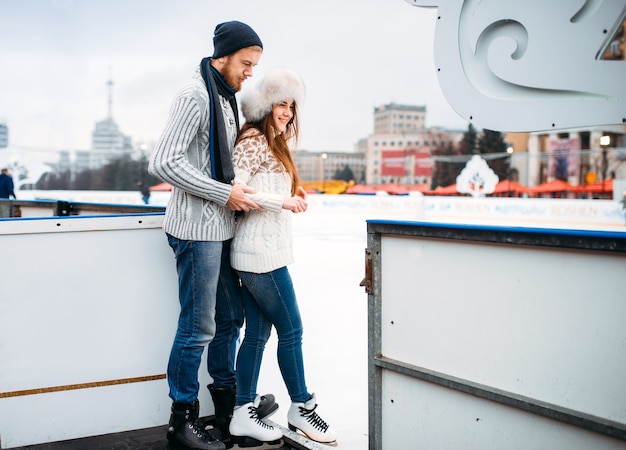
279,144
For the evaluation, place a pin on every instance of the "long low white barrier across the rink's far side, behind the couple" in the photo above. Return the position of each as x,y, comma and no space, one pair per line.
562,213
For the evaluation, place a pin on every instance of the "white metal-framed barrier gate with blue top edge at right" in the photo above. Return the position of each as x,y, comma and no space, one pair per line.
495,337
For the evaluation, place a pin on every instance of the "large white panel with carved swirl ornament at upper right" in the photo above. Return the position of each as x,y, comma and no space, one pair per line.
530,66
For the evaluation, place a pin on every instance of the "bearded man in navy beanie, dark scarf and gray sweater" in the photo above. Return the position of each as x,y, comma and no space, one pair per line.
194,156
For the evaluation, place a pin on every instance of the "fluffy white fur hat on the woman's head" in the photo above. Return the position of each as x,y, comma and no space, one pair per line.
278,85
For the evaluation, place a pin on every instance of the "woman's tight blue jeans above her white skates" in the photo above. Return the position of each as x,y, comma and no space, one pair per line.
269,299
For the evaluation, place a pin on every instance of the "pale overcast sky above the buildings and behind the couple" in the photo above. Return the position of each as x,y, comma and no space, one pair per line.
57,55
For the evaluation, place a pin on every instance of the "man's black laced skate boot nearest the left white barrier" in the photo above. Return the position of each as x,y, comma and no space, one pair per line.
185,433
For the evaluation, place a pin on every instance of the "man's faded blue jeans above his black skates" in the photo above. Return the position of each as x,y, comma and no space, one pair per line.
210,312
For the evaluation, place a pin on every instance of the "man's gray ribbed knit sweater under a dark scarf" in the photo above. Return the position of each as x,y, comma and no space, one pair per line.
196,209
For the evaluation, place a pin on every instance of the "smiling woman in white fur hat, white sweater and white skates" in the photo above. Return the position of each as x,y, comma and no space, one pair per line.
262,249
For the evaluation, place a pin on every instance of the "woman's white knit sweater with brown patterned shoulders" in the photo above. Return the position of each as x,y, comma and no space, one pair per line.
263,240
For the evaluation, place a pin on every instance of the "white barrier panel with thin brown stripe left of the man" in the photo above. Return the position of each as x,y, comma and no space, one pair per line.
86,324
